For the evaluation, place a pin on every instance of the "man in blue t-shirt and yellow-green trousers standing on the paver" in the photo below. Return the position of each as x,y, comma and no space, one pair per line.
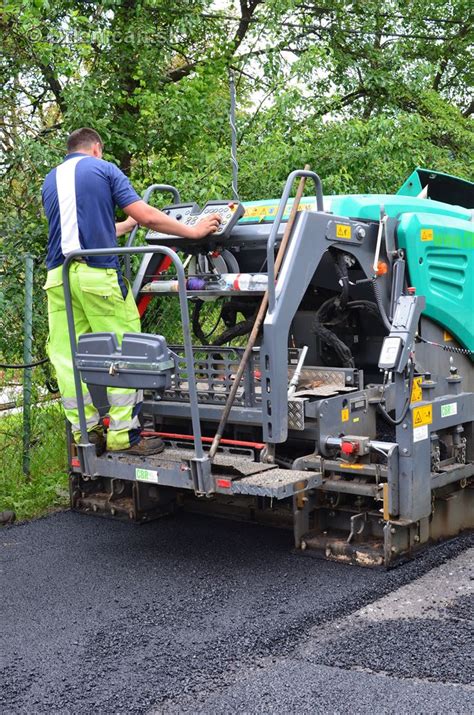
79,199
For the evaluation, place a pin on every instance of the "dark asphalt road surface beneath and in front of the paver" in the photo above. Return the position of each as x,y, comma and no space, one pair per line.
197,615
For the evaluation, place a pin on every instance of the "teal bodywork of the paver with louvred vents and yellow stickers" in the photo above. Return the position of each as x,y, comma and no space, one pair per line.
436,230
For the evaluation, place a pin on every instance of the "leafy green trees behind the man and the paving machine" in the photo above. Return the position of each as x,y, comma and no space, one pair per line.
362,90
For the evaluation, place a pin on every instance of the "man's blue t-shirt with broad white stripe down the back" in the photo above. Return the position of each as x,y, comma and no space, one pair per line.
79,200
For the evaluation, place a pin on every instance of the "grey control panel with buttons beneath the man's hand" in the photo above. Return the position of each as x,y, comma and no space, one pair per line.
190,214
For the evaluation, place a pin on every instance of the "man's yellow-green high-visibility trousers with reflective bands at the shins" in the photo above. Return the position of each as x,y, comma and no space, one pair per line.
98,306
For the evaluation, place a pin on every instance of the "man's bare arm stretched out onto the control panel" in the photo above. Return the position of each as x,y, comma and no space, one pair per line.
148,216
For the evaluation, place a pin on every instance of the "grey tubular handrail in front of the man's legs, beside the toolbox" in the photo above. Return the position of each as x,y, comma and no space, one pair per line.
188,348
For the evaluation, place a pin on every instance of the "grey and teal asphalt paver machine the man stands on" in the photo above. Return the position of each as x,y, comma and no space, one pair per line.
352,420
